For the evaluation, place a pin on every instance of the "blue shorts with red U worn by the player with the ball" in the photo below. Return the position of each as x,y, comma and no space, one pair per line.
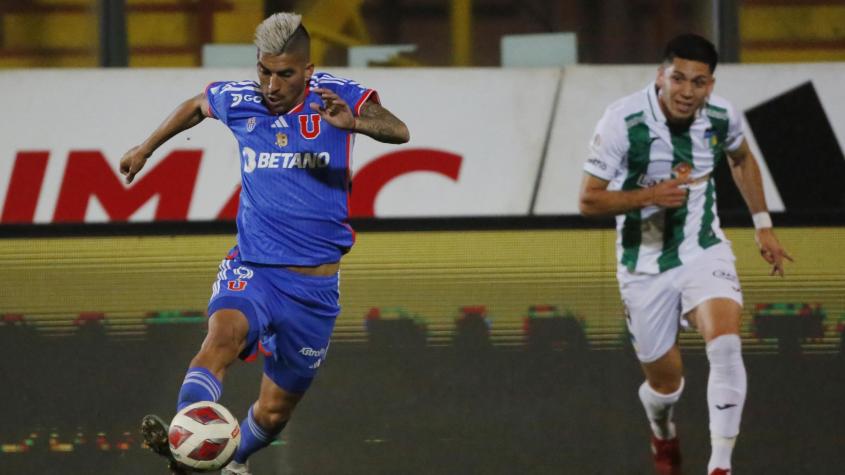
291,316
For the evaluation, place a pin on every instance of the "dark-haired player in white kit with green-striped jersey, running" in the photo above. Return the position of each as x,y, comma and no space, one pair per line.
651,164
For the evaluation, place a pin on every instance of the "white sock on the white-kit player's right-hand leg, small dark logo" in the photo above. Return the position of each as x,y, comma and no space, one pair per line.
726,390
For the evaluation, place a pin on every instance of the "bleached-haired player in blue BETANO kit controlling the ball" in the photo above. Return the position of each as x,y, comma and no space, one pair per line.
277,290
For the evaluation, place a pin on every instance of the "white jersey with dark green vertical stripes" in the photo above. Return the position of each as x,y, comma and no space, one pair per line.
633,147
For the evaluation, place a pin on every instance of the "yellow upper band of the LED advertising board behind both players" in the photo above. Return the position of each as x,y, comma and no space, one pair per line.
430,274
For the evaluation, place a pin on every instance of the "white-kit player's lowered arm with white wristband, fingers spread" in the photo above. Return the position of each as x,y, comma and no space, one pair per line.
746,175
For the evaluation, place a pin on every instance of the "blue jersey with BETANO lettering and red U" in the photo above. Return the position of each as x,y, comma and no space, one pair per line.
295,173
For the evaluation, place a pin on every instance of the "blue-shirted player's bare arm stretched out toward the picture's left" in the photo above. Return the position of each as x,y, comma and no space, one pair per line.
186,115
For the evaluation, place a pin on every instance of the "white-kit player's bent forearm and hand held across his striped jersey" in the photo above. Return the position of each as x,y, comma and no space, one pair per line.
596,200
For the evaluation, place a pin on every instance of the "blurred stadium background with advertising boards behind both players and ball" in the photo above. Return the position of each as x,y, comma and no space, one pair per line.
482,330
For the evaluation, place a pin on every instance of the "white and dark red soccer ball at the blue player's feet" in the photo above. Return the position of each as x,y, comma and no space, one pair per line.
204,436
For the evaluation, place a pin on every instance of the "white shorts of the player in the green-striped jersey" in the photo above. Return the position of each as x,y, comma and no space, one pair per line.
656,303
